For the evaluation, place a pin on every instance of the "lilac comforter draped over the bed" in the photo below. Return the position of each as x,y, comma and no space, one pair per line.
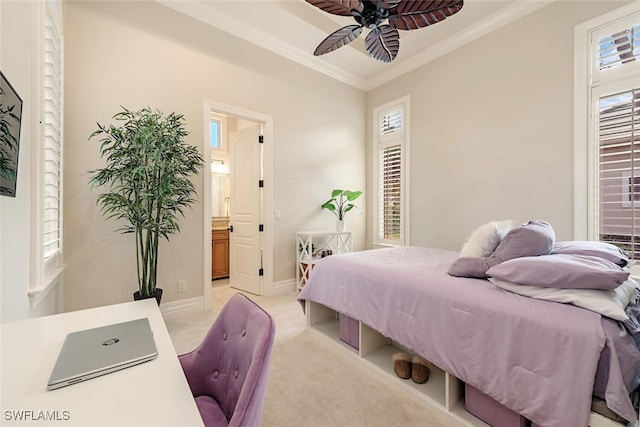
536,357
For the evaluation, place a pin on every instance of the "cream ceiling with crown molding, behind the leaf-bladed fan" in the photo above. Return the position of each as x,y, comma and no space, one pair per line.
293,29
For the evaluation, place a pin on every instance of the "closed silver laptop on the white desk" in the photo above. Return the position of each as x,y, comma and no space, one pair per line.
99,351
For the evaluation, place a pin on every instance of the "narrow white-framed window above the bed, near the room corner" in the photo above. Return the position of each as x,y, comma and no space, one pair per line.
391,148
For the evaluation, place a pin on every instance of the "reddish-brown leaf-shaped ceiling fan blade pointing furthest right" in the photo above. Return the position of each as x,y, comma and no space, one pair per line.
414,14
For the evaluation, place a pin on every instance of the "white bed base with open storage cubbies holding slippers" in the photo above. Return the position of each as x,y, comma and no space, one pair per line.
443,393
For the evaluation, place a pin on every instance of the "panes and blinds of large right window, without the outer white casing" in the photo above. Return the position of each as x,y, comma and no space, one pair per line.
615,140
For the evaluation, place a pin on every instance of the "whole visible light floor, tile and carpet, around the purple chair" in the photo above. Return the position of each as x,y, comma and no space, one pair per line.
312,381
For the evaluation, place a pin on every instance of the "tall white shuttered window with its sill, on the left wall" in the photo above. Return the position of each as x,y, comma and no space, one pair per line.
49,171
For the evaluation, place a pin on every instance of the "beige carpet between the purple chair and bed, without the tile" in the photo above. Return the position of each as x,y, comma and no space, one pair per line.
314,383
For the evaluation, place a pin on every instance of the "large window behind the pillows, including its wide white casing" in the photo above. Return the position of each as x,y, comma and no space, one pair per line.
608,119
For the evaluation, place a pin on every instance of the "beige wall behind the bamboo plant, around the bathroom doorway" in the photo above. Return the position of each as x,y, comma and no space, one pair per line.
140,53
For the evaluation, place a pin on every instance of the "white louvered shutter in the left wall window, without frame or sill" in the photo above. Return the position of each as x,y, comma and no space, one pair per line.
52,133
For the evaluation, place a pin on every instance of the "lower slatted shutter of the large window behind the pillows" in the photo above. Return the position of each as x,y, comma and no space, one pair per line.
619,170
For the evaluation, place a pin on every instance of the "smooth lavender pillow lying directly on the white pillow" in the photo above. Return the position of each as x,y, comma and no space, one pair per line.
562,271
